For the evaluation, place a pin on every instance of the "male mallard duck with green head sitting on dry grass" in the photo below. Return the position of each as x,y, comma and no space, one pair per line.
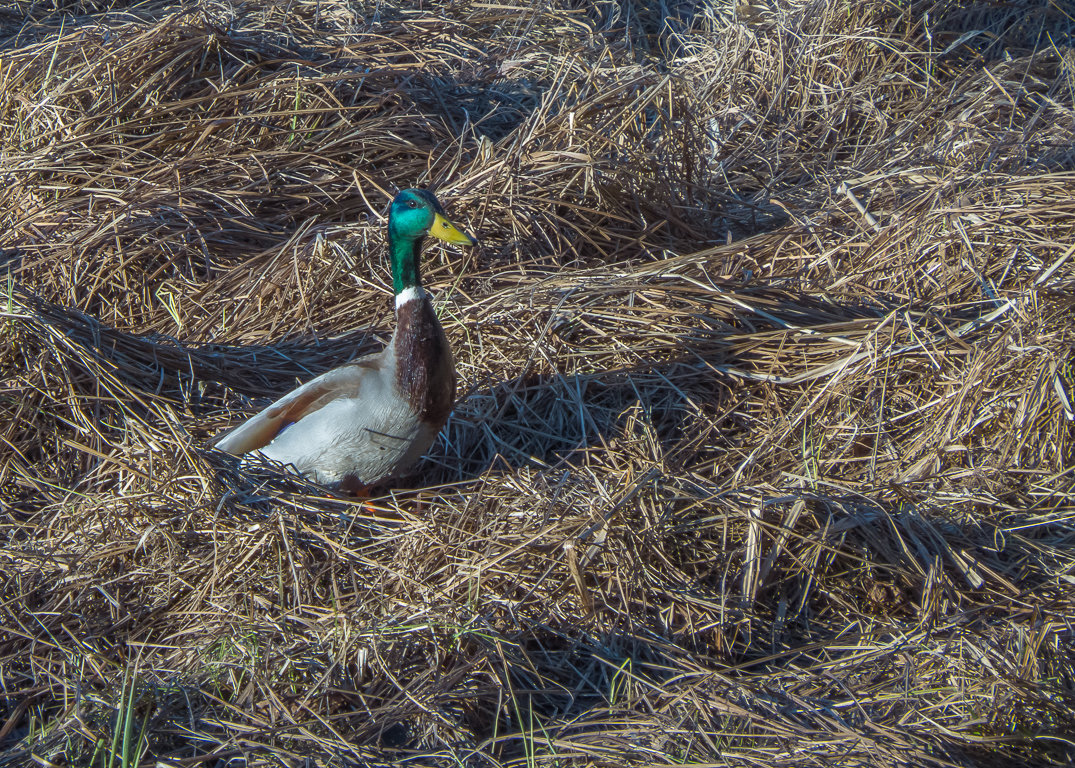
371,420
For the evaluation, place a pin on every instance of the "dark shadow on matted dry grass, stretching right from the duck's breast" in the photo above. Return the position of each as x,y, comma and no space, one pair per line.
548,421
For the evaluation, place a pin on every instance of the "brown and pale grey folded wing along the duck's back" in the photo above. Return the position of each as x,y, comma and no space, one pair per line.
261,431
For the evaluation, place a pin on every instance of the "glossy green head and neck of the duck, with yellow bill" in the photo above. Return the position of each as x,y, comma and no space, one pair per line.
414,215
